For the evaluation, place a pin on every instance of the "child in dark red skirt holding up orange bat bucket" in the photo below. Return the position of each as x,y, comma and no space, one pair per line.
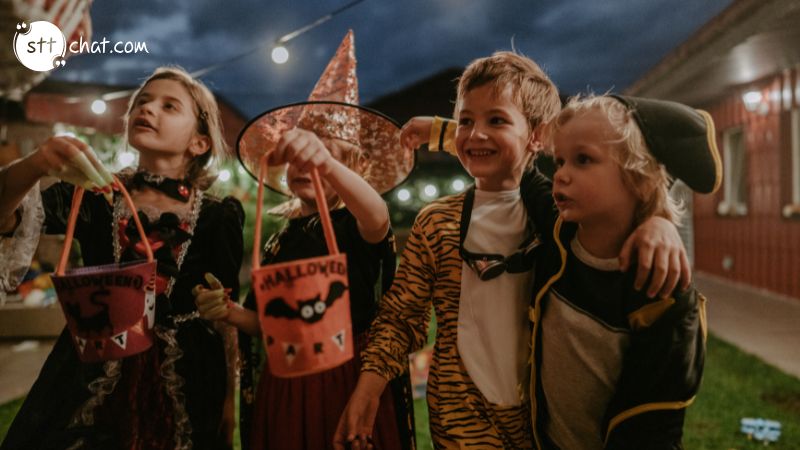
281,417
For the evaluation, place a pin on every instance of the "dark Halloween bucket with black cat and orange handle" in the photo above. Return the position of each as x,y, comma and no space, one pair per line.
110,309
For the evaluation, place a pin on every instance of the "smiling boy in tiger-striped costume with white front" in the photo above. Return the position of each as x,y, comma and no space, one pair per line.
455,261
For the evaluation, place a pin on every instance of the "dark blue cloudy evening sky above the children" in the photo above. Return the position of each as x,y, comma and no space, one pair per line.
582,44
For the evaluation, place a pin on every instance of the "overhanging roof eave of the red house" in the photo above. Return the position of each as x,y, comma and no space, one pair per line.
749,40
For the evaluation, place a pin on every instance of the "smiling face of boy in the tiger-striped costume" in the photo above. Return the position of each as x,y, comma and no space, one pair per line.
493,139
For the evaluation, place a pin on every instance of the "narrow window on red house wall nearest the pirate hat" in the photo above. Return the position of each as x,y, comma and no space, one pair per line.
734,202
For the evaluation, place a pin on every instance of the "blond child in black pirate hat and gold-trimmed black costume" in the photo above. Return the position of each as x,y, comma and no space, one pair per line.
614,368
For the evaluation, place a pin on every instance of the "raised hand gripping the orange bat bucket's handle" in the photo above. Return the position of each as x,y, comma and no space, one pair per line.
304,150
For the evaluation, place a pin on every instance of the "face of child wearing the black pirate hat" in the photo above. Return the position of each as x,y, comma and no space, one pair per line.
587,186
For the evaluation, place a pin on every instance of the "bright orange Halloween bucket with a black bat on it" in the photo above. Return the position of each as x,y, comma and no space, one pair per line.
303,305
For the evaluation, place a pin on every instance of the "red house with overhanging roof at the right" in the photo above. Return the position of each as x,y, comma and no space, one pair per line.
743,67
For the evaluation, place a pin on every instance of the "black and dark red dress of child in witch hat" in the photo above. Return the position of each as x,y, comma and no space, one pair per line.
302,412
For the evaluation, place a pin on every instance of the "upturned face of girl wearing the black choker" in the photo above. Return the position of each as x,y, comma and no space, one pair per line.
163,122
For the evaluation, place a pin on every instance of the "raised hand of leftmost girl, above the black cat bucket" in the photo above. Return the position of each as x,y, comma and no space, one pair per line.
73,161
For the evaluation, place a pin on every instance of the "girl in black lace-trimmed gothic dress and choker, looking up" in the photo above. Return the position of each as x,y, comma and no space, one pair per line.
172,395
